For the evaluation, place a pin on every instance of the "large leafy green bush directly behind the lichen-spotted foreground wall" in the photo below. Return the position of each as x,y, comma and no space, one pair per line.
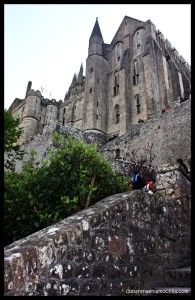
74,177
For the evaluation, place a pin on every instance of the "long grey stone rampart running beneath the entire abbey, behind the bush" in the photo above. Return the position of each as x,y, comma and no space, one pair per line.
170,134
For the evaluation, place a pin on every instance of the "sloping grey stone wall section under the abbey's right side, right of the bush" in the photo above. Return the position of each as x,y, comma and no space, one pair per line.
170,134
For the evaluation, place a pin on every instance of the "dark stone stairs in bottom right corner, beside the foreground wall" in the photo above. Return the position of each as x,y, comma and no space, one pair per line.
177,282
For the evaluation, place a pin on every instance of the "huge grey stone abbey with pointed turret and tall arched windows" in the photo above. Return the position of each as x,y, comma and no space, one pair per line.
128,81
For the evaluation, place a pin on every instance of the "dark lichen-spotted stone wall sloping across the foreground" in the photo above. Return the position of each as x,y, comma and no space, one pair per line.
124,242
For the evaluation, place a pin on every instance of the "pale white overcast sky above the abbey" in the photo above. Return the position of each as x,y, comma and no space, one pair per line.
46,44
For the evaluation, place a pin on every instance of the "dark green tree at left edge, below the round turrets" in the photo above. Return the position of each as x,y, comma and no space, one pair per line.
12,133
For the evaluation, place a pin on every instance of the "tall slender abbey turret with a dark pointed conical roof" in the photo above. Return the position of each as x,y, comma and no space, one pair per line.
95,108
